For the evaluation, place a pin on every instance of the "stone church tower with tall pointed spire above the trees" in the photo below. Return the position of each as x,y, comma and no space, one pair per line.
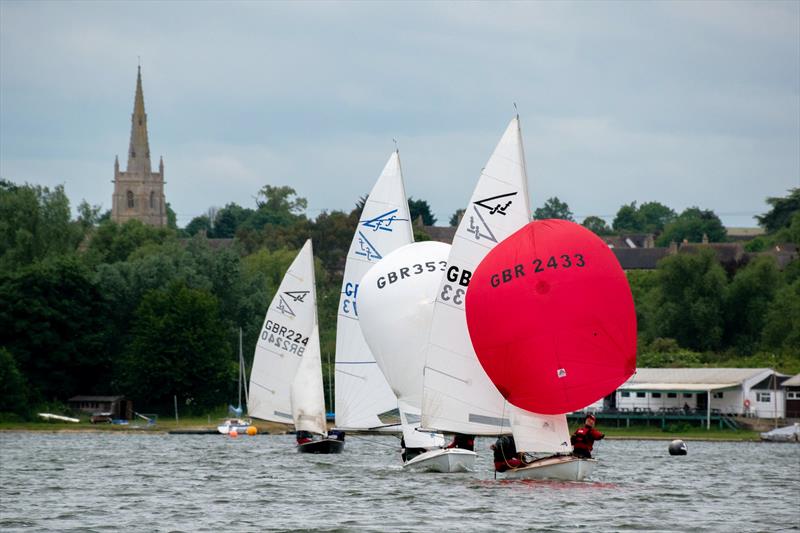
139,192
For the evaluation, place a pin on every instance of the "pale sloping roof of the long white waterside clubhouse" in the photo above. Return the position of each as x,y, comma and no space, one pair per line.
690,379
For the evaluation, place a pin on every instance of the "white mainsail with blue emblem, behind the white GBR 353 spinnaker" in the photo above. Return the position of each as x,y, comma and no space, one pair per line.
362,392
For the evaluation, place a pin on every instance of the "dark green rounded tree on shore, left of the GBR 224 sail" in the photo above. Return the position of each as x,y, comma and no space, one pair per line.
180,346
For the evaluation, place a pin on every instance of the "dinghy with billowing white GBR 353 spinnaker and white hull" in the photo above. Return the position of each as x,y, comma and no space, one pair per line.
396,300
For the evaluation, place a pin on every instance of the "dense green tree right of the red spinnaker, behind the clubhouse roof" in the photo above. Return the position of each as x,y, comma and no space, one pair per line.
689,300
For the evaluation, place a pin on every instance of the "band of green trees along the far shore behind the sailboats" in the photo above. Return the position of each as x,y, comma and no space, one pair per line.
88,306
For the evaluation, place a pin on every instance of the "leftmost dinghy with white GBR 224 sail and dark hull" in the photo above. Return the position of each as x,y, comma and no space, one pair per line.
286,379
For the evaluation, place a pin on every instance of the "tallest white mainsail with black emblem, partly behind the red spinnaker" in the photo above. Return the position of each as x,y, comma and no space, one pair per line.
457,394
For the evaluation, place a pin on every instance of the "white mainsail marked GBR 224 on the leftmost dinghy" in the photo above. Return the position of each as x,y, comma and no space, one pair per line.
283,341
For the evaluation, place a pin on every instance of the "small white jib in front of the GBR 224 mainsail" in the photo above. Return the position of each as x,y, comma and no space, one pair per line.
308,397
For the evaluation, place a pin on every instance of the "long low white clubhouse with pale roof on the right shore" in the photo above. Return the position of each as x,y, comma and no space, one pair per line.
734,391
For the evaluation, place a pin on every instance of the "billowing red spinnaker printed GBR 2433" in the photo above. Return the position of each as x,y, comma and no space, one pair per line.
551,317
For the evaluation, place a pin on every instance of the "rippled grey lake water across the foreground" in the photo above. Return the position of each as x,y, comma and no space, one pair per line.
157,482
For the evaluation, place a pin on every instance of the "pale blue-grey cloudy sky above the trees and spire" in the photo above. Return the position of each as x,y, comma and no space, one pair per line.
685,103
